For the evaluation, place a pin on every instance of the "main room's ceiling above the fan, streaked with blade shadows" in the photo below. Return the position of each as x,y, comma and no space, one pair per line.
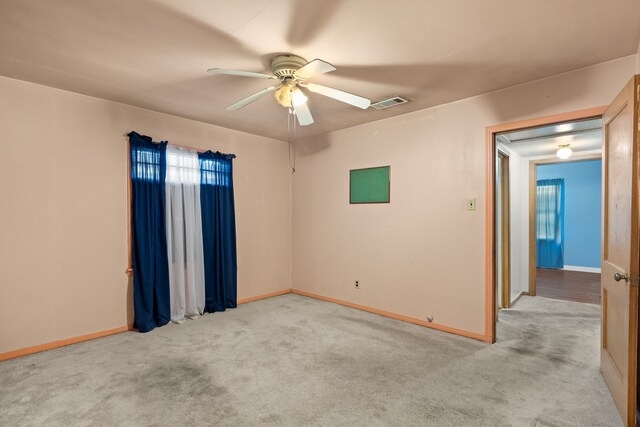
154,53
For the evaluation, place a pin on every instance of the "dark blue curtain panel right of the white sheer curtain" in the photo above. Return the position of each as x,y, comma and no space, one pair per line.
218,230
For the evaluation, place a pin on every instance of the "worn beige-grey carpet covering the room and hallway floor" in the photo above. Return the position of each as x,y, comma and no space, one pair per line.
294,361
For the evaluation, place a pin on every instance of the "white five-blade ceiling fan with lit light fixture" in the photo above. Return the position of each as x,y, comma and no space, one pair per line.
292,72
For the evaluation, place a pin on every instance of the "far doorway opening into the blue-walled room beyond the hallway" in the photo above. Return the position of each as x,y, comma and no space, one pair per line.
567,265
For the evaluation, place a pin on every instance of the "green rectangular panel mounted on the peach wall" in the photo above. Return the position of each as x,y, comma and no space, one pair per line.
370,185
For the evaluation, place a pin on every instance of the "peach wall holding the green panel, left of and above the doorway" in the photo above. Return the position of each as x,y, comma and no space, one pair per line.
422,254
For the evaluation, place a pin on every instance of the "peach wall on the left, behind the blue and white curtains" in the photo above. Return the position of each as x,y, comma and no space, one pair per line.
63,215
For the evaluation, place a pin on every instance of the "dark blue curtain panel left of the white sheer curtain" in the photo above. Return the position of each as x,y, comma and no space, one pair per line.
149,245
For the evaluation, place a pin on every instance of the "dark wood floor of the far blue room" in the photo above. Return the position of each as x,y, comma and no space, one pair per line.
568,285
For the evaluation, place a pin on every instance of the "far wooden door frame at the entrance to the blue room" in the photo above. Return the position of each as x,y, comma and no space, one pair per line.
533,171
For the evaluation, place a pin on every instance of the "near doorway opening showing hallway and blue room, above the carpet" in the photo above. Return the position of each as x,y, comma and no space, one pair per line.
548,191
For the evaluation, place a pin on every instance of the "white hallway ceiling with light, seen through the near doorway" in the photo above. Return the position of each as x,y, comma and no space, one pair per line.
544,141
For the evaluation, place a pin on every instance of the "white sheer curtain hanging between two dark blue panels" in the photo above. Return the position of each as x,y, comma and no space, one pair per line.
184,234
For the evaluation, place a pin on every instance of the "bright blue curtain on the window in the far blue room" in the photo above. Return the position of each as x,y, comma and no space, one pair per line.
550,223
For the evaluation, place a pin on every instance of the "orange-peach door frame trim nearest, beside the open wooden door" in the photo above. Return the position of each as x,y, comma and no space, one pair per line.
490,214
